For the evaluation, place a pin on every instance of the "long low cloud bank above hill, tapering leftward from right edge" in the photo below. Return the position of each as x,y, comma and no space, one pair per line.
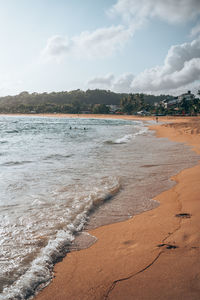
181,68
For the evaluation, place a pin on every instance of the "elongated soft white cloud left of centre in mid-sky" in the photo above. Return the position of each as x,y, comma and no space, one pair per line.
100,43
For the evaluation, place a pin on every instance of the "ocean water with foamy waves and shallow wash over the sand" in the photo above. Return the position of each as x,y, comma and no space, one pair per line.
59,176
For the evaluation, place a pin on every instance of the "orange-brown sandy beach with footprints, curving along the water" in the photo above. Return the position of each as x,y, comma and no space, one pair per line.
154,255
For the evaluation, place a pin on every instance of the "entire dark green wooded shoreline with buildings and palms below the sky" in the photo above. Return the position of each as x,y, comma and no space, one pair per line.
99,102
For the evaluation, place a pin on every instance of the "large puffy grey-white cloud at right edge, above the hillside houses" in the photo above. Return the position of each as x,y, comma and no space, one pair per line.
181,67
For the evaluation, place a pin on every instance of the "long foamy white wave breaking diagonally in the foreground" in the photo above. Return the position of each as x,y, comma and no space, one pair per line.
40,272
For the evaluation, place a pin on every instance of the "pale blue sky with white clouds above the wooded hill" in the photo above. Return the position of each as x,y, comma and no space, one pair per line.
149,46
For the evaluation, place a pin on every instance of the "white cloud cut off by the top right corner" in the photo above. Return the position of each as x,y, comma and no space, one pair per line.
174,11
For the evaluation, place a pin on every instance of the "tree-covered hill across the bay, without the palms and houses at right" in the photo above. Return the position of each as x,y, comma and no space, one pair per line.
77,101
